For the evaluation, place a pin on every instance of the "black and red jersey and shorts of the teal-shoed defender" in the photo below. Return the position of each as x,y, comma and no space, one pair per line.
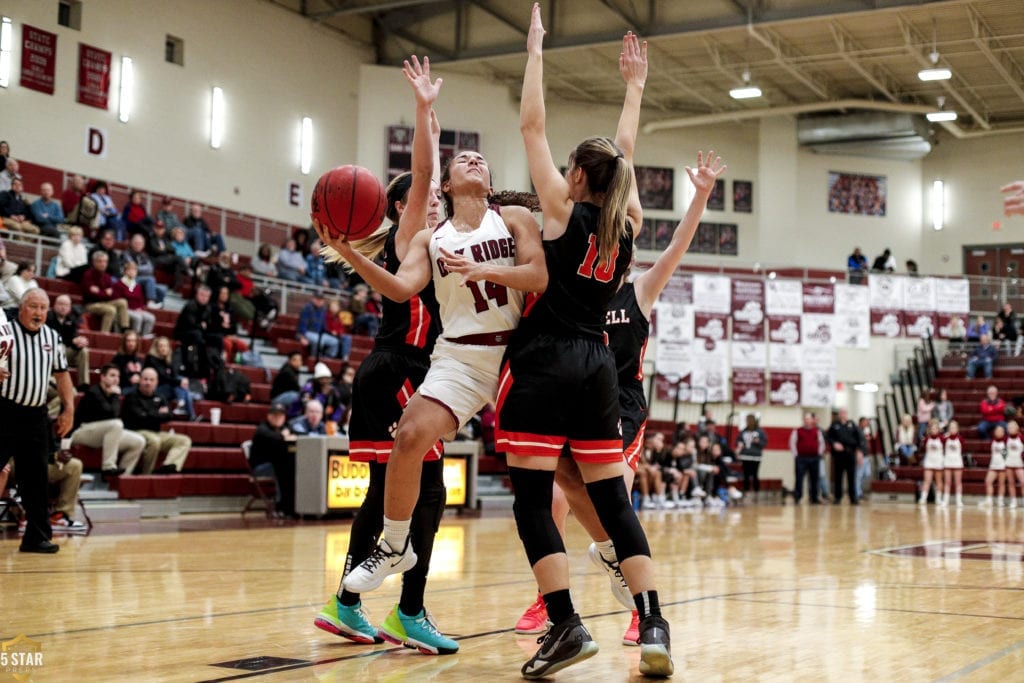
393,372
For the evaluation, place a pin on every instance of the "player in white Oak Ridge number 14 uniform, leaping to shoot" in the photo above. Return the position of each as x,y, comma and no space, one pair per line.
482,263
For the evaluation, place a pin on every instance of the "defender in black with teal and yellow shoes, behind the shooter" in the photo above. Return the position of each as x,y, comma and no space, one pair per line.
385,383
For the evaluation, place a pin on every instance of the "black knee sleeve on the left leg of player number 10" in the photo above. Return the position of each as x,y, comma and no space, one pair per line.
533,514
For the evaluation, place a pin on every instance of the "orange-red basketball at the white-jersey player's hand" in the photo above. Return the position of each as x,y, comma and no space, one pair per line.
349,201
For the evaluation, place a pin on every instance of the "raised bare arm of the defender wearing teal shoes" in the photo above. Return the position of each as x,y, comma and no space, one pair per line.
424,164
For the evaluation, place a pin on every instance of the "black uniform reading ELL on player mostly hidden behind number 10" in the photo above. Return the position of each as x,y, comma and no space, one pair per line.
628,331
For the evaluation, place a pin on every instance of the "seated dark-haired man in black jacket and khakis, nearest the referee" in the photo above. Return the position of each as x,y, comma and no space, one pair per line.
99,425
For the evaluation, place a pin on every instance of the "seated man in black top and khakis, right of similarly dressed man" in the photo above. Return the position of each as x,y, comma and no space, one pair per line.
145,412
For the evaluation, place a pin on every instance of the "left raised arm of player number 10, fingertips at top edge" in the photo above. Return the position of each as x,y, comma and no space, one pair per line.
552,189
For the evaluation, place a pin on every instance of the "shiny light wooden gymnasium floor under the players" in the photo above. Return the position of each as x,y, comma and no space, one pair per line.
884,592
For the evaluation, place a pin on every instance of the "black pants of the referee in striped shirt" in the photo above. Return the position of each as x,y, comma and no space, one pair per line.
25,436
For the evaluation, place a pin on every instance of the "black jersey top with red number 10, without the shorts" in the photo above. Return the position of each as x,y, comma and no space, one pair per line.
579,287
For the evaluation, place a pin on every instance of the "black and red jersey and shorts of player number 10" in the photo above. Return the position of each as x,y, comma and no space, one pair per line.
559,379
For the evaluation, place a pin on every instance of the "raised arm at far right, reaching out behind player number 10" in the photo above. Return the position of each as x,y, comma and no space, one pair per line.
649,285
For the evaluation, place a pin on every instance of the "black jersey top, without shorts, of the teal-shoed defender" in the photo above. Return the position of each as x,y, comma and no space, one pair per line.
412,324
